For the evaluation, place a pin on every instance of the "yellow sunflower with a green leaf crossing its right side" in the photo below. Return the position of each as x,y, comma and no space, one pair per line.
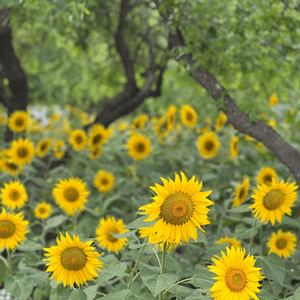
105,237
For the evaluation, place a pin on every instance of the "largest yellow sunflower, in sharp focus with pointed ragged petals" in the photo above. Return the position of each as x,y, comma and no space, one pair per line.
178,208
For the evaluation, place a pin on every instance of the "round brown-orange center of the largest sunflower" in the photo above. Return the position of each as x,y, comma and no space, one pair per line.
177,208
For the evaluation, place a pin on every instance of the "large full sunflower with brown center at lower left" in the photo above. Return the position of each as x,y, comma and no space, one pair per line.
72,261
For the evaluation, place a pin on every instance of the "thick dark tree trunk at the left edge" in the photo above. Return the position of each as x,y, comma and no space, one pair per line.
11,69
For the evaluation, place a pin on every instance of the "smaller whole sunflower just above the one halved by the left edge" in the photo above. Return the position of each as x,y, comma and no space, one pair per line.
14,195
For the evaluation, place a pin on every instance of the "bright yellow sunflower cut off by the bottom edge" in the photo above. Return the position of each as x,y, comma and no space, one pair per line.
237,278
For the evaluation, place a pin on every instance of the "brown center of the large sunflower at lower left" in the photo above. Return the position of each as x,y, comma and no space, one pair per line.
73,259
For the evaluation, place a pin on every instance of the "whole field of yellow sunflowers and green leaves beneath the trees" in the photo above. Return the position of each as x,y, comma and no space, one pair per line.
153,207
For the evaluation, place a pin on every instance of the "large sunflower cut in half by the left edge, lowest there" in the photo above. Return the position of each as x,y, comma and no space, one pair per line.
12,229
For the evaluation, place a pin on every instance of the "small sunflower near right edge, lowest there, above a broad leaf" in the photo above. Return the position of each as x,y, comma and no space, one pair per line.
282,243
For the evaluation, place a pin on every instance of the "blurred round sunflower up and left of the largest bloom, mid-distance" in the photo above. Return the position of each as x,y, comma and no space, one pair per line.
139,146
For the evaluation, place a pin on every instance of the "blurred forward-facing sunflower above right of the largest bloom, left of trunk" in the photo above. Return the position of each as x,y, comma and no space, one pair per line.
208,145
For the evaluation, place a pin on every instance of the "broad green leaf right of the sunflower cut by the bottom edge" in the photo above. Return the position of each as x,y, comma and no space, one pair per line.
272,267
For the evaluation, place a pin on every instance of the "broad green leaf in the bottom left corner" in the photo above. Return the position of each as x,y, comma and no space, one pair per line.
19,286
